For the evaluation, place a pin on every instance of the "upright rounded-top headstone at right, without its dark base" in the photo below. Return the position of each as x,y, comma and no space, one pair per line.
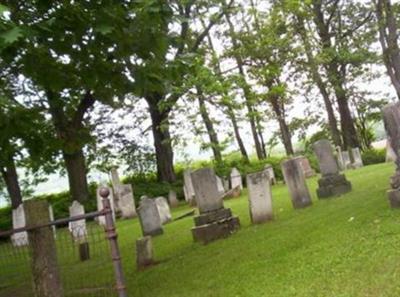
326,159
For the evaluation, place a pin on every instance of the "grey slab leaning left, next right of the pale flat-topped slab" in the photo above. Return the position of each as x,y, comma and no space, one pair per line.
296,182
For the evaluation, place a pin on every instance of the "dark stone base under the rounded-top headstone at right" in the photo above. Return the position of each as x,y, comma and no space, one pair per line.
333,185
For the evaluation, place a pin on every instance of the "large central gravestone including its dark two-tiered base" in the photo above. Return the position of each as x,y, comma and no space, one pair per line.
214,221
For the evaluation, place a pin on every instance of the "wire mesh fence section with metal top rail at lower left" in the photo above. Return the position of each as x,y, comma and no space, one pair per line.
88,257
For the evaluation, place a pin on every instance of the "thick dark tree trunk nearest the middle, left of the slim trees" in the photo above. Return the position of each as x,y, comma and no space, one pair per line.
162,140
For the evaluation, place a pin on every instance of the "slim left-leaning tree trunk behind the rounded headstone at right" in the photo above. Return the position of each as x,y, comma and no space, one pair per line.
333,126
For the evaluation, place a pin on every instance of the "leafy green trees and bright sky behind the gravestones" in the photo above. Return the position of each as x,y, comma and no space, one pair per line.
84,85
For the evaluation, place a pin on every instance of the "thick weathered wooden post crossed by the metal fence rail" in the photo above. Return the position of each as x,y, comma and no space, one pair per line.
46,277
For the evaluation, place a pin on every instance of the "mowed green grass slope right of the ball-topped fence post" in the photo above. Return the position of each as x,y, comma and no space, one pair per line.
345,246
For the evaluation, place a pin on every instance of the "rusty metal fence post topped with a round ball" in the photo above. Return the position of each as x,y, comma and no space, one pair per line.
112,237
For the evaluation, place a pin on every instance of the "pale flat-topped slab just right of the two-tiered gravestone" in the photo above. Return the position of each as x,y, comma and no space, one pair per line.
260,197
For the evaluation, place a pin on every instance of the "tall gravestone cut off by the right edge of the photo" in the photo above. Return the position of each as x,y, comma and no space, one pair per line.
391,118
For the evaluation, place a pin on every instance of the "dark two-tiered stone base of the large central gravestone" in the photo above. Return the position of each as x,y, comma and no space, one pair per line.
214,225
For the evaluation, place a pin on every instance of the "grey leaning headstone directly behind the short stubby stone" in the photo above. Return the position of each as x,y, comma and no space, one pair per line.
149,217
